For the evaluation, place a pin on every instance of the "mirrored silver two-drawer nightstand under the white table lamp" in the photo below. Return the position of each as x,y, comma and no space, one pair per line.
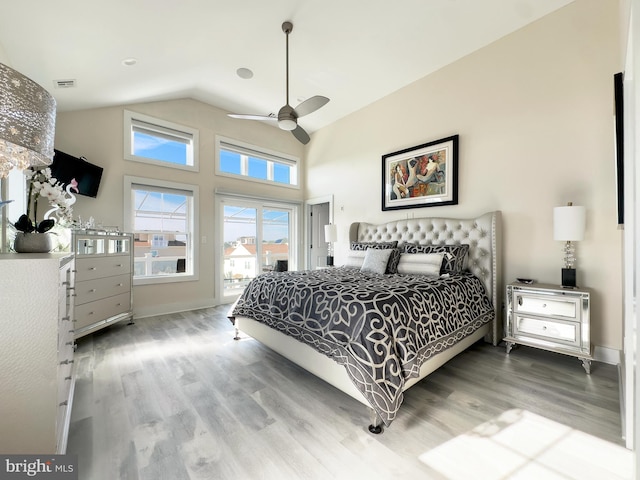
550,317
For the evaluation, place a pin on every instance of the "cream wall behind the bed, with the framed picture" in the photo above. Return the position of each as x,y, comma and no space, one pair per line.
534,112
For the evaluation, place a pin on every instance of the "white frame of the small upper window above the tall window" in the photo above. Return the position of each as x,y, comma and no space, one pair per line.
133,120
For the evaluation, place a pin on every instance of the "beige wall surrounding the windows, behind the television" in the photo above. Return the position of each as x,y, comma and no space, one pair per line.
98,135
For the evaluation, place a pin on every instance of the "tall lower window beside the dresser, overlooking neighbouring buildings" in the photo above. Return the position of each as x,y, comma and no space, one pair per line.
162,216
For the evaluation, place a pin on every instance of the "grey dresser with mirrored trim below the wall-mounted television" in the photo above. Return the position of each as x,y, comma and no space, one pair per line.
104,278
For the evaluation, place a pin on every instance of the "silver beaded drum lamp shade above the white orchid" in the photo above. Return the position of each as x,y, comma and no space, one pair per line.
27,122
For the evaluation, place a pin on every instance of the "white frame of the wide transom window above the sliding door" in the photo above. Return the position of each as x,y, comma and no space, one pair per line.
270,156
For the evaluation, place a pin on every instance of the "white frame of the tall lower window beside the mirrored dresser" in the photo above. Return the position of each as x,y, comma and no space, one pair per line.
193,216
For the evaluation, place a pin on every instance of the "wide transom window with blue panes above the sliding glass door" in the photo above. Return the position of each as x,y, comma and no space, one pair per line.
253,163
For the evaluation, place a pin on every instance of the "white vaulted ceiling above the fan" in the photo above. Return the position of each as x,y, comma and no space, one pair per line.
352,51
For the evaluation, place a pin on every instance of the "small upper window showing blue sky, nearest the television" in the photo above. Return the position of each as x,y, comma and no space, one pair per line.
151,140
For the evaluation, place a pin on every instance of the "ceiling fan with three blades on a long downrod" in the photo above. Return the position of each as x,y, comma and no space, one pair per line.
287,117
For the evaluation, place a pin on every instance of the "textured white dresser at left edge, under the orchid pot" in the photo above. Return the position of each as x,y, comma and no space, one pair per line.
36,352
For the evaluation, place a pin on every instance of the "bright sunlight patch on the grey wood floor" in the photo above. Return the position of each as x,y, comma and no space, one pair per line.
522,445
